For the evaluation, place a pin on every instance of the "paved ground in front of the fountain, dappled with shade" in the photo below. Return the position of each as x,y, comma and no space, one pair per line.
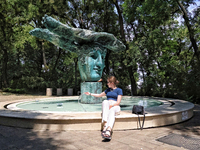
21,139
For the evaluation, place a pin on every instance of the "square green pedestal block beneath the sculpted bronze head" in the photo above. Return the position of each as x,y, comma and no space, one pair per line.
92,87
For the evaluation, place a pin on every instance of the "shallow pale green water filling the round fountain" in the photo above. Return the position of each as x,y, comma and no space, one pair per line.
65,105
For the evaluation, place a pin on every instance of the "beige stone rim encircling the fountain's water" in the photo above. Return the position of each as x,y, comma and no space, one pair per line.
156,116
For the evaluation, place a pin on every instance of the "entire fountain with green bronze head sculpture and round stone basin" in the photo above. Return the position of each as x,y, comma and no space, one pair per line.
84,112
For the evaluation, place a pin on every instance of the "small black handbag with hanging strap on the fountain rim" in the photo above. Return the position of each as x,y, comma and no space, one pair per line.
139,110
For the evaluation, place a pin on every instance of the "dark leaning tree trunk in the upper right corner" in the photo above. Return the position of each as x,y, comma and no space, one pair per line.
191,31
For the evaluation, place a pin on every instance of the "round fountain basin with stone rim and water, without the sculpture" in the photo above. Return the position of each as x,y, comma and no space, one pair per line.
166,112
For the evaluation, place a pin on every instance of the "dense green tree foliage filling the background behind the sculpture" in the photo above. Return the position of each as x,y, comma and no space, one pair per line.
158,51
